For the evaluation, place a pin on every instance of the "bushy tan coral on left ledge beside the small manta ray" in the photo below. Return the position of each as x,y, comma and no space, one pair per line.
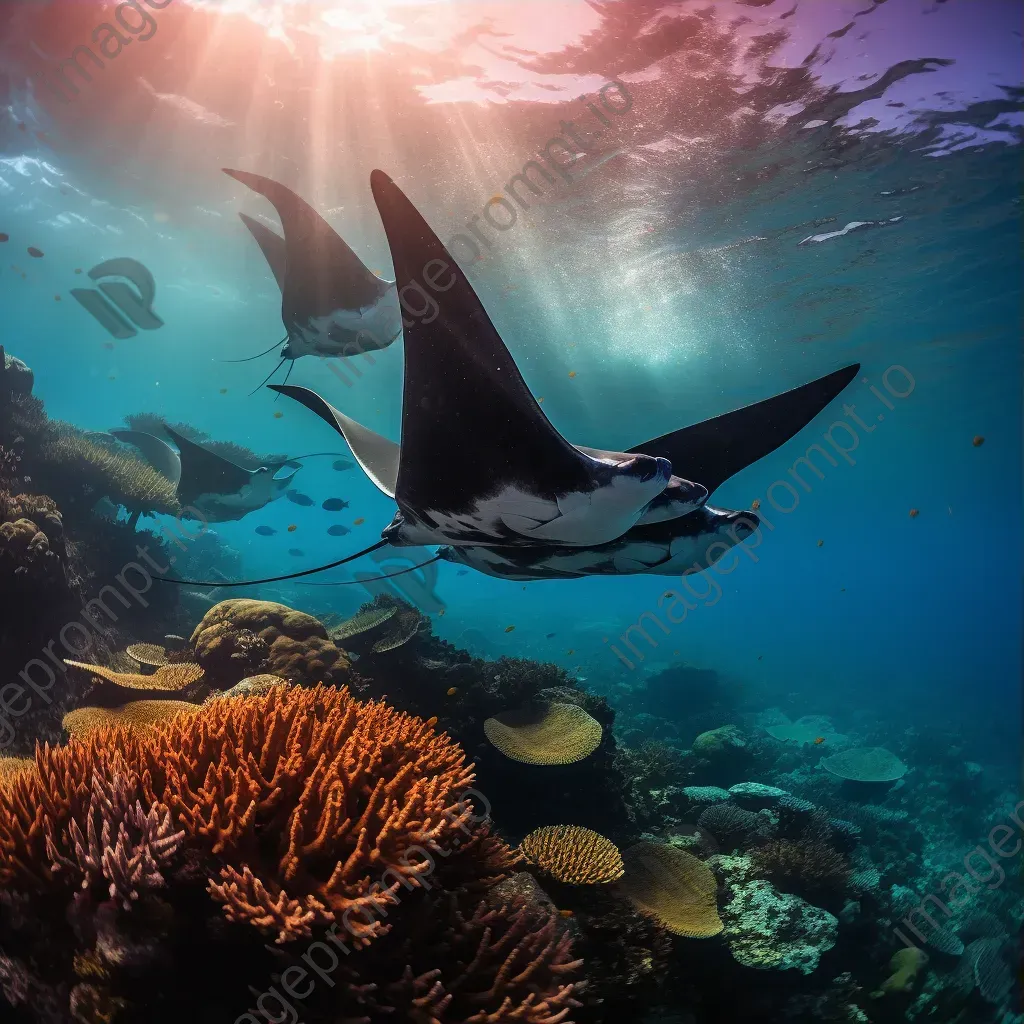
72,465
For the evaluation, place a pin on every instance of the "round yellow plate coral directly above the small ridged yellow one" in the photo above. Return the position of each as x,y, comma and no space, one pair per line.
546,735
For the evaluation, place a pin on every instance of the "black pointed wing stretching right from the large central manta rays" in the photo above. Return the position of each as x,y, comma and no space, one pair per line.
713,451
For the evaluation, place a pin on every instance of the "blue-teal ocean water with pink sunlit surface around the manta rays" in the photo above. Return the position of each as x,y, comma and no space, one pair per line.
732,199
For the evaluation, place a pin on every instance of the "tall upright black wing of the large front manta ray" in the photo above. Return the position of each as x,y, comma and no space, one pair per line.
470,424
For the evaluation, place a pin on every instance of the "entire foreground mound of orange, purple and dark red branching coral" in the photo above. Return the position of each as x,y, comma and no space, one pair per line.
285,817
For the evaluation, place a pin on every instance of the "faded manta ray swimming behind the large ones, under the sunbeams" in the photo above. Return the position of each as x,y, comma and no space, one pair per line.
331,304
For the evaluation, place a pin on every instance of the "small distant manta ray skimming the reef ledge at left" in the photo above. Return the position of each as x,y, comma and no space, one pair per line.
218,488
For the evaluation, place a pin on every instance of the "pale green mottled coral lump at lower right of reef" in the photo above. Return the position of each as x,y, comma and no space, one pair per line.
771,931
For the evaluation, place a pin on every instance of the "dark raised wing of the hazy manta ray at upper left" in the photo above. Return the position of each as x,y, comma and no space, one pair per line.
323,274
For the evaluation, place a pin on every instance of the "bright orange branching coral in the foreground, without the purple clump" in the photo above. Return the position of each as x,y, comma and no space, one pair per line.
318,807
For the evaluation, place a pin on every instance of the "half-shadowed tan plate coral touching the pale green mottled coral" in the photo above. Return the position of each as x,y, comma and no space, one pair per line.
673,887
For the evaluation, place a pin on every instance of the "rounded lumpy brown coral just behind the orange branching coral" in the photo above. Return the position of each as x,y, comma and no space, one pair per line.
297,647
